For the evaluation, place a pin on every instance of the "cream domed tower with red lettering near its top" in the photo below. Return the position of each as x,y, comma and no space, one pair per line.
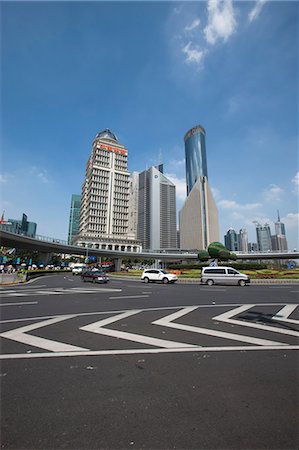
105,196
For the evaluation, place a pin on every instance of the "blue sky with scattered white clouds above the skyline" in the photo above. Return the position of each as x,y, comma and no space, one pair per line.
150,71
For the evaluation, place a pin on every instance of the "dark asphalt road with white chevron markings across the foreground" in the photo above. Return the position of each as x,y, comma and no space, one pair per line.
128,365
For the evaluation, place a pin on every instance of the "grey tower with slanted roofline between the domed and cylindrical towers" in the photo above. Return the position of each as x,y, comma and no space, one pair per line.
156,210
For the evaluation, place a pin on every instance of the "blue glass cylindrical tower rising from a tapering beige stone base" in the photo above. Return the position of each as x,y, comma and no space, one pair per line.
199,215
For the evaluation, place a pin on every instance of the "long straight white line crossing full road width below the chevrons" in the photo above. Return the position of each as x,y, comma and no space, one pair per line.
149,351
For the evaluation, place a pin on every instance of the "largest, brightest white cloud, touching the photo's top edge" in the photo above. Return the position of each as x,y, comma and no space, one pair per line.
221,21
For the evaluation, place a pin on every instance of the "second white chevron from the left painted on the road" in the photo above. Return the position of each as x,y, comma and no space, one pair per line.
97,327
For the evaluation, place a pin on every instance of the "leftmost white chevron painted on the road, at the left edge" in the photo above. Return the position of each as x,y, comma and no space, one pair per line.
20,335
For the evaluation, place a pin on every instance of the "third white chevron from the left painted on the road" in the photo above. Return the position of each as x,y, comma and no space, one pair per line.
167,322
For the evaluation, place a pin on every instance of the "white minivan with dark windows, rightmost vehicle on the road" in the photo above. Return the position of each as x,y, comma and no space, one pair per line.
223,275
